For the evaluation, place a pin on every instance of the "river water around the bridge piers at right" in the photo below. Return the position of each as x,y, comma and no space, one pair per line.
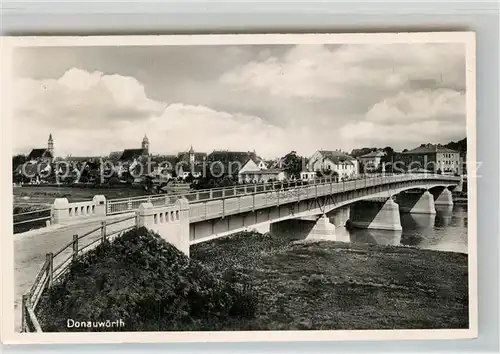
444,231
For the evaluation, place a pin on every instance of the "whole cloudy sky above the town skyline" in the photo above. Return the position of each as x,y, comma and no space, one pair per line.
269,98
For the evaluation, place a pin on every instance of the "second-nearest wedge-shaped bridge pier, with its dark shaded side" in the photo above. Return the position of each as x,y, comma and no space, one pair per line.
376,214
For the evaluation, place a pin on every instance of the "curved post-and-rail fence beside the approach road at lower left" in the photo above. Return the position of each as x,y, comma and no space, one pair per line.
57,264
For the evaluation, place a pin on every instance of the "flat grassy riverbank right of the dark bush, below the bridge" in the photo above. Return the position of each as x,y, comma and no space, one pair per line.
334,285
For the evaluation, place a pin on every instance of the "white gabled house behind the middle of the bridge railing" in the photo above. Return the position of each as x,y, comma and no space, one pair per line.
333,162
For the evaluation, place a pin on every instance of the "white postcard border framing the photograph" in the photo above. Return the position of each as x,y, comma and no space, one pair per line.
7,274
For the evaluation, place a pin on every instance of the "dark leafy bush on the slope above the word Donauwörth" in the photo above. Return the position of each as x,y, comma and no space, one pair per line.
150,285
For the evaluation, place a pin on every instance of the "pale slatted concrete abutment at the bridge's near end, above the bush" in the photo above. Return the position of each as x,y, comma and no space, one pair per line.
170,222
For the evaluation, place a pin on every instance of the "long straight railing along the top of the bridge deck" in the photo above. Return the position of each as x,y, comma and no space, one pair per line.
123,205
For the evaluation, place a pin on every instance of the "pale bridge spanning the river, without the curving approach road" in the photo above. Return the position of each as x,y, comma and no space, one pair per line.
198,216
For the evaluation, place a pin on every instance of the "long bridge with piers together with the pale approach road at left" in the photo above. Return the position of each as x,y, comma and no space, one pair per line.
187,219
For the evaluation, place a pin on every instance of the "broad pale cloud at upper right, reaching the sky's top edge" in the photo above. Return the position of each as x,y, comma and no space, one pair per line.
317,71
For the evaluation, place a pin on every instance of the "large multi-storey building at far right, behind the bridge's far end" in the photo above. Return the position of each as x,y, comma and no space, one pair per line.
434,158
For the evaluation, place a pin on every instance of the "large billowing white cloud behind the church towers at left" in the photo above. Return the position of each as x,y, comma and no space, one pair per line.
170,127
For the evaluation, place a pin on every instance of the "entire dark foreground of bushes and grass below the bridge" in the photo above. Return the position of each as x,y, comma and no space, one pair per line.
252,281
